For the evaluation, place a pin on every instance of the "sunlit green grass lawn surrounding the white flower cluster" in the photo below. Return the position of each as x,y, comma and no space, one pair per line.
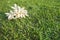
43,22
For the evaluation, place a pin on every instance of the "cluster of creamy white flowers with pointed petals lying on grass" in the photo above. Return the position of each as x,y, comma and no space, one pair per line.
16,12
